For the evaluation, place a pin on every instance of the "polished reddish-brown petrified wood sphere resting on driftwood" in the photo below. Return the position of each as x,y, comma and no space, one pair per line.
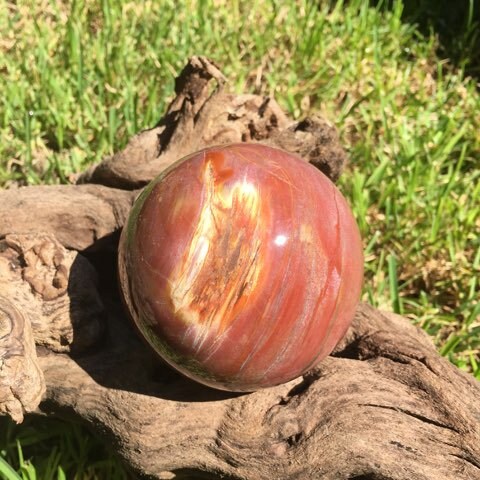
241,266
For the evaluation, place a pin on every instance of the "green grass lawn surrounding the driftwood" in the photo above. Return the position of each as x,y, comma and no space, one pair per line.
79,78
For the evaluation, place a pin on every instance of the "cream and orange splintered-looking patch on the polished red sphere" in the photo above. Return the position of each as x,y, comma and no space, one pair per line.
194,282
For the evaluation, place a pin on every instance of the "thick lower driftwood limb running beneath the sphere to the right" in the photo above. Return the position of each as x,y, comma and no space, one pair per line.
384,406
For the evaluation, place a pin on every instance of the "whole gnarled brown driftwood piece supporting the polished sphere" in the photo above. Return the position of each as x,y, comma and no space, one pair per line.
385,405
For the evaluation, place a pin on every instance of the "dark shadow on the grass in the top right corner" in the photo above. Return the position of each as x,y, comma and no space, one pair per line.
456,24
